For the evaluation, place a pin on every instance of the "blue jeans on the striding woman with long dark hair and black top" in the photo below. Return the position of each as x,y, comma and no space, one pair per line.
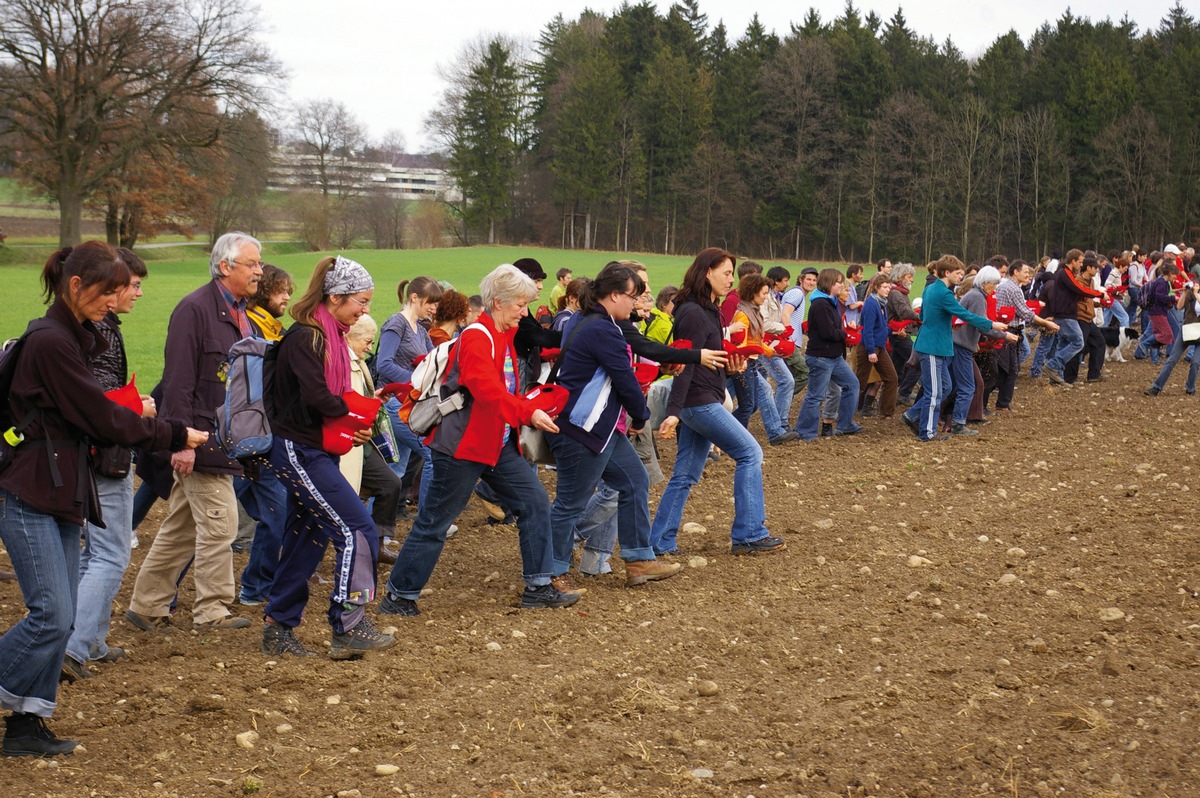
701,429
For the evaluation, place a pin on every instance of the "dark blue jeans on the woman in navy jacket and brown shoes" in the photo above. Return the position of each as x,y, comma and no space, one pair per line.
580,470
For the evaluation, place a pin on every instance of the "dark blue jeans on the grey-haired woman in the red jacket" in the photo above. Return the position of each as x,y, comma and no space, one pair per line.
518,488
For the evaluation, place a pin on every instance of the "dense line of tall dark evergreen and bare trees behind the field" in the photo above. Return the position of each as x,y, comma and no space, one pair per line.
847,140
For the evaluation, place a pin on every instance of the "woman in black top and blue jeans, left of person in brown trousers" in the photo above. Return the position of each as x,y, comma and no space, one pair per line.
826,358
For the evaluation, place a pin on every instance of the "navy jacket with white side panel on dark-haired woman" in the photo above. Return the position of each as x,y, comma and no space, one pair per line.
597,374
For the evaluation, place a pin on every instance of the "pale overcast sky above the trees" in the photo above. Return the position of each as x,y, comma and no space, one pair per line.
381,57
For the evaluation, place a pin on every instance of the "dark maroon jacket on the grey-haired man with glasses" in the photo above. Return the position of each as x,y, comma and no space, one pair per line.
196,358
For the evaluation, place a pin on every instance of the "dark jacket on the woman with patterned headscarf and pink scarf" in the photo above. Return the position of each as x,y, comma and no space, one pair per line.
298,400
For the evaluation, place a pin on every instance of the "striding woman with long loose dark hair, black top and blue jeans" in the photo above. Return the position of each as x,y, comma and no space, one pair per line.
697,412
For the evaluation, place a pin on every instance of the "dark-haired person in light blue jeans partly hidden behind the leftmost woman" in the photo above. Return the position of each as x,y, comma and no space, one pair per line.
106,551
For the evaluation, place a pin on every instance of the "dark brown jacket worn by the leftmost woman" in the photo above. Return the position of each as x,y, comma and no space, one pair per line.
53,377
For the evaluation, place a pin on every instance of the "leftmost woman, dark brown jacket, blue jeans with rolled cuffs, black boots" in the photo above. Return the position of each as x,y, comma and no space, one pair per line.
47,491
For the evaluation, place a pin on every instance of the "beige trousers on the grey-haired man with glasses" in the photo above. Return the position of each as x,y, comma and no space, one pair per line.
202,523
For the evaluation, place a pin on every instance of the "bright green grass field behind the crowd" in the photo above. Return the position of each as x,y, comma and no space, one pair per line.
176,272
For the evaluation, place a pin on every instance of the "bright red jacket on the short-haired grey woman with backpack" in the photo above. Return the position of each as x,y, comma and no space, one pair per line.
477,433
